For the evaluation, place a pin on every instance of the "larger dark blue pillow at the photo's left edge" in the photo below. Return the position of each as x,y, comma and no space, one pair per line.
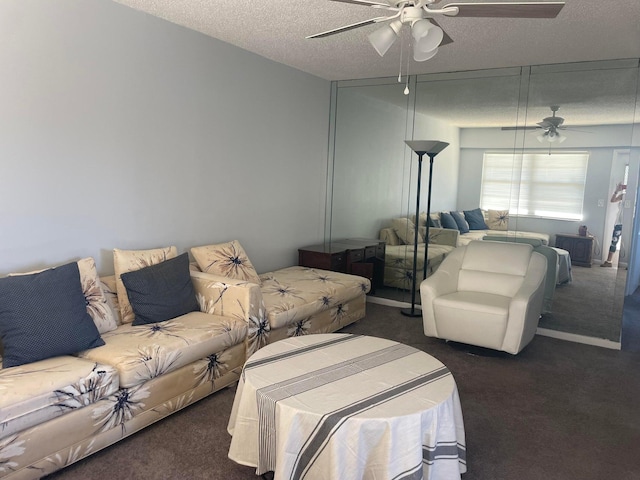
44,315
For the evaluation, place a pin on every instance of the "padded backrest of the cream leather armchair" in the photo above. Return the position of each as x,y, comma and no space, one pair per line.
488,267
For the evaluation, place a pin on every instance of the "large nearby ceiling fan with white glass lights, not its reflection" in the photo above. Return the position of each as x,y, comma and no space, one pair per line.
419,15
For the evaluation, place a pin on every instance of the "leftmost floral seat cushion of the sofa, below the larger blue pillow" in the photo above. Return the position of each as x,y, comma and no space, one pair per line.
32,394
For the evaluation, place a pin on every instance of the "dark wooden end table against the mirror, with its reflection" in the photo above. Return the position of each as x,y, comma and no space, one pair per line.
358,256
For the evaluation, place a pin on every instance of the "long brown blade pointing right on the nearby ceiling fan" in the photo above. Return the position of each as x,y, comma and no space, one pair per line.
508,9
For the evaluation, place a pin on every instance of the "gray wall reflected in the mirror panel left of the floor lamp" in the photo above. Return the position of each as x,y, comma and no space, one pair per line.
371,164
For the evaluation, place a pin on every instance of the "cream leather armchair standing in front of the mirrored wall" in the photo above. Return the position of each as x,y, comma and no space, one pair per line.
487,294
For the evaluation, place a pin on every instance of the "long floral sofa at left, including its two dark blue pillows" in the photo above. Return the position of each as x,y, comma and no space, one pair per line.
73,400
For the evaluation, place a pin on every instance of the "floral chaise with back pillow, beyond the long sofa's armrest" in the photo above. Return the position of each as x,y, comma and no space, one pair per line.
284,303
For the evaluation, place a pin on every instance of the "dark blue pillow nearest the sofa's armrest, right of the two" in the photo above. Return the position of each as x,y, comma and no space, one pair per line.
162,291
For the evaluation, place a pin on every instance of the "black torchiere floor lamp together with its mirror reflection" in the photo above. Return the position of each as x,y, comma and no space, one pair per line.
430,148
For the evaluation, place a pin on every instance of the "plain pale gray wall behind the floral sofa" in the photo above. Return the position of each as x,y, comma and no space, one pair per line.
122,130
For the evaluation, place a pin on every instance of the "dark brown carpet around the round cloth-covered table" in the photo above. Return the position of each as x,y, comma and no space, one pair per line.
558,410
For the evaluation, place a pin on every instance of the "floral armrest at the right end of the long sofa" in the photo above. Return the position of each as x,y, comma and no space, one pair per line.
235,298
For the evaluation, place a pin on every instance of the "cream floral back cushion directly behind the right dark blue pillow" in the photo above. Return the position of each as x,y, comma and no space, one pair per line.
130,260
